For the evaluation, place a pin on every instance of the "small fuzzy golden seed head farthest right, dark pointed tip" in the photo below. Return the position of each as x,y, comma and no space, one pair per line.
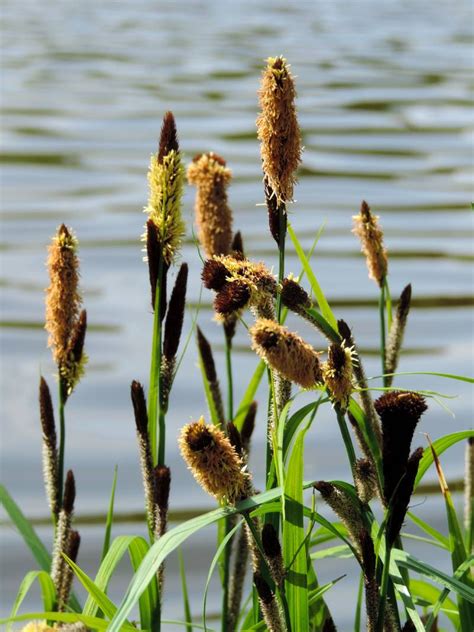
366,227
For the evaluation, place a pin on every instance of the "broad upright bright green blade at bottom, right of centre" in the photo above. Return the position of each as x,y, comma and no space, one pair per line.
294,548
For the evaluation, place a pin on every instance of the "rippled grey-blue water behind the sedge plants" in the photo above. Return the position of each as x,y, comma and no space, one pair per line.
385,107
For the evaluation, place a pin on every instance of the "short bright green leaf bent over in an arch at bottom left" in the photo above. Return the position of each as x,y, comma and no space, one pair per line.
137,548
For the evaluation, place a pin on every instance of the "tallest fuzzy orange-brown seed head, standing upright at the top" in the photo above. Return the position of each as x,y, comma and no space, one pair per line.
278,129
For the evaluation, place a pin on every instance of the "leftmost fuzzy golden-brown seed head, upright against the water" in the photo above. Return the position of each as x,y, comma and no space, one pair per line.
63,299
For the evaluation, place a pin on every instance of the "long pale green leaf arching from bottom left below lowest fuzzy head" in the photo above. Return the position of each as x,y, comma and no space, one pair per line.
174,538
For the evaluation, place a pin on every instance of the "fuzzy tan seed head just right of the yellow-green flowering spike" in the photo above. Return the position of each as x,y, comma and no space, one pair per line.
211,176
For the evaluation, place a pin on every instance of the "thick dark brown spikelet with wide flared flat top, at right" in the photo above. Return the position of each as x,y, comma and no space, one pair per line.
400,412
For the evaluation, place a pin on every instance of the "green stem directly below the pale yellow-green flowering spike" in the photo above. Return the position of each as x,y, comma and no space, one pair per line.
157,439
